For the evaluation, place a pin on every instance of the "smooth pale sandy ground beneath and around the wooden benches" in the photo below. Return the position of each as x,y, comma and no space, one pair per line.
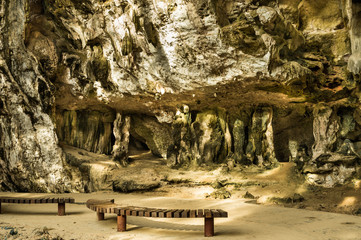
245,221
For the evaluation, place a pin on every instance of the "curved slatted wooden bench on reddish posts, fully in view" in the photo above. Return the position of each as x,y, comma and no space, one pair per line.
108,206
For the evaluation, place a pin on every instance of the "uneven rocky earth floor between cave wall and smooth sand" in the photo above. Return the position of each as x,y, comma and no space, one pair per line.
149,175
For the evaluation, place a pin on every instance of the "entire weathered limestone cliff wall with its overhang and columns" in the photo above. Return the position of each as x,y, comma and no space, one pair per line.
199,82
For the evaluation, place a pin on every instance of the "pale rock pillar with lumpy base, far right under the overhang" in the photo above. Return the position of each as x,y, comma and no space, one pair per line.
332,162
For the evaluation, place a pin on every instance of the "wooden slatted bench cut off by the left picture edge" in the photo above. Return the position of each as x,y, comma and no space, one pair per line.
19,200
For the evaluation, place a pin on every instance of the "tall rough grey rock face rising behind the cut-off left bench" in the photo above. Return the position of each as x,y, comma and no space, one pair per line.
30,157
